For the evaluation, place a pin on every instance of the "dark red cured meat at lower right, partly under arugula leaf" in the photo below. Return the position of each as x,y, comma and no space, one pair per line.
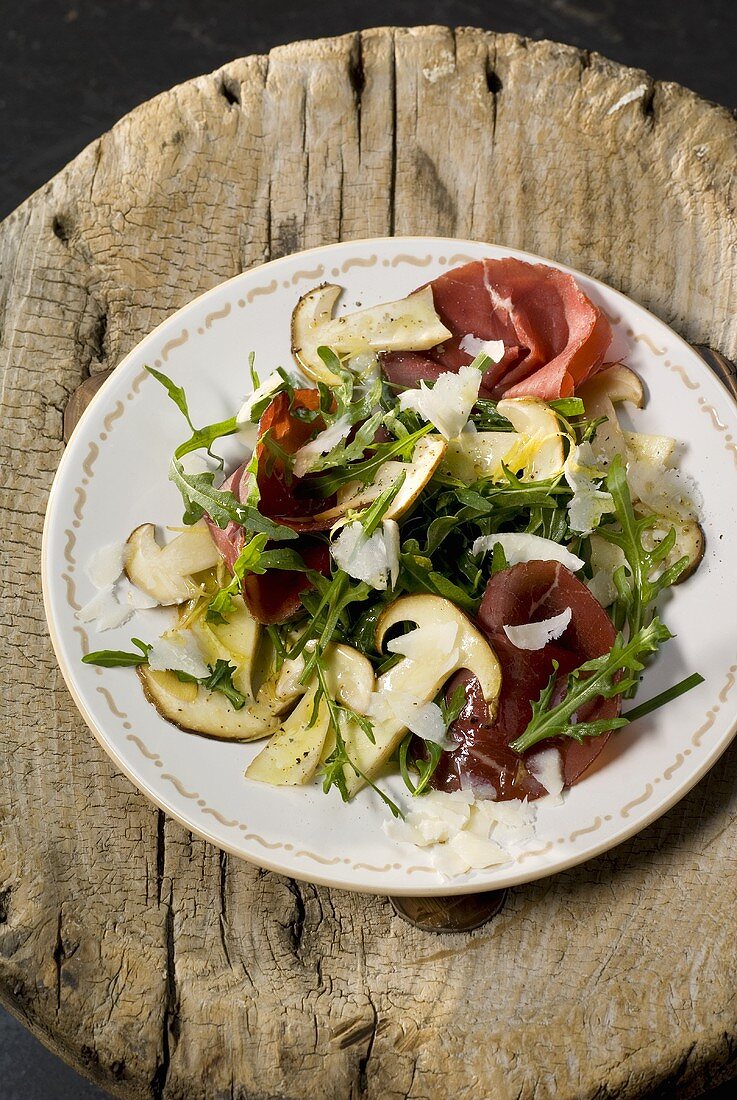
530,592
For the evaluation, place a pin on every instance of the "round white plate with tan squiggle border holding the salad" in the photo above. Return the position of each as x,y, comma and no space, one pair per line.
114,477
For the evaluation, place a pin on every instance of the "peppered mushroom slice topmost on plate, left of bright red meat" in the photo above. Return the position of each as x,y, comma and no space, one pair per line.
411,324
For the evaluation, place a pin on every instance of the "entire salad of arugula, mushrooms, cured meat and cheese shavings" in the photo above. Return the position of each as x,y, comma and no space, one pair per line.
444,555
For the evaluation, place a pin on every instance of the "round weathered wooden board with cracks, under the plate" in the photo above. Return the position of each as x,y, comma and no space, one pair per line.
145,956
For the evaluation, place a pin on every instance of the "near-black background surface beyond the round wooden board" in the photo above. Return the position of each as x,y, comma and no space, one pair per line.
70,70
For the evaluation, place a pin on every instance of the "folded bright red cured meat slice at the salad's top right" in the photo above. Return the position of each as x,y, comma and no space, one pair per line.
555,337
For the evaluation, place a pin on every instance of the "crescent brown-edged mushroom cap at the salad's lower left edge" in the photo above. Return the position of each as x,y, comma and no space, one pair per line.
204,712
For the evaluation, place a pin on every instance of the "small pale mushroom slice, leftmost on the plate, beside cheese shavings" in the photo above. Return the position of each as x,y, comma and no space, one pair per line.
166,573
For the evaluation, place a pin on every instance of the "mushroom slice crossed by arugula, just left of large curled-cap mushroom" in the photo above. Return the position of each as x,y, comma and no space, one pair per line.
294,753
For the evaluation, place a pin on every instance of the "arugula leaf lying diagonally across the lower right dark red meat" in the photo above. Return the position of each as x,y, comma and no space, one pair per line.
614,674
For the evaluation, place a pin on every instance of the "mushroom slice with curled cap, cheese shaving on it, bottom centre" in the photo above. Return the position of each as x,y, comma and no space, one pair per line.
422,679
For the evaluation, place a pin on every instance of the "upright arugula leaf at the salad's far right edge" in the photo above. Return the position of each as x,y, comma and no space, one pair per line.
641,585
